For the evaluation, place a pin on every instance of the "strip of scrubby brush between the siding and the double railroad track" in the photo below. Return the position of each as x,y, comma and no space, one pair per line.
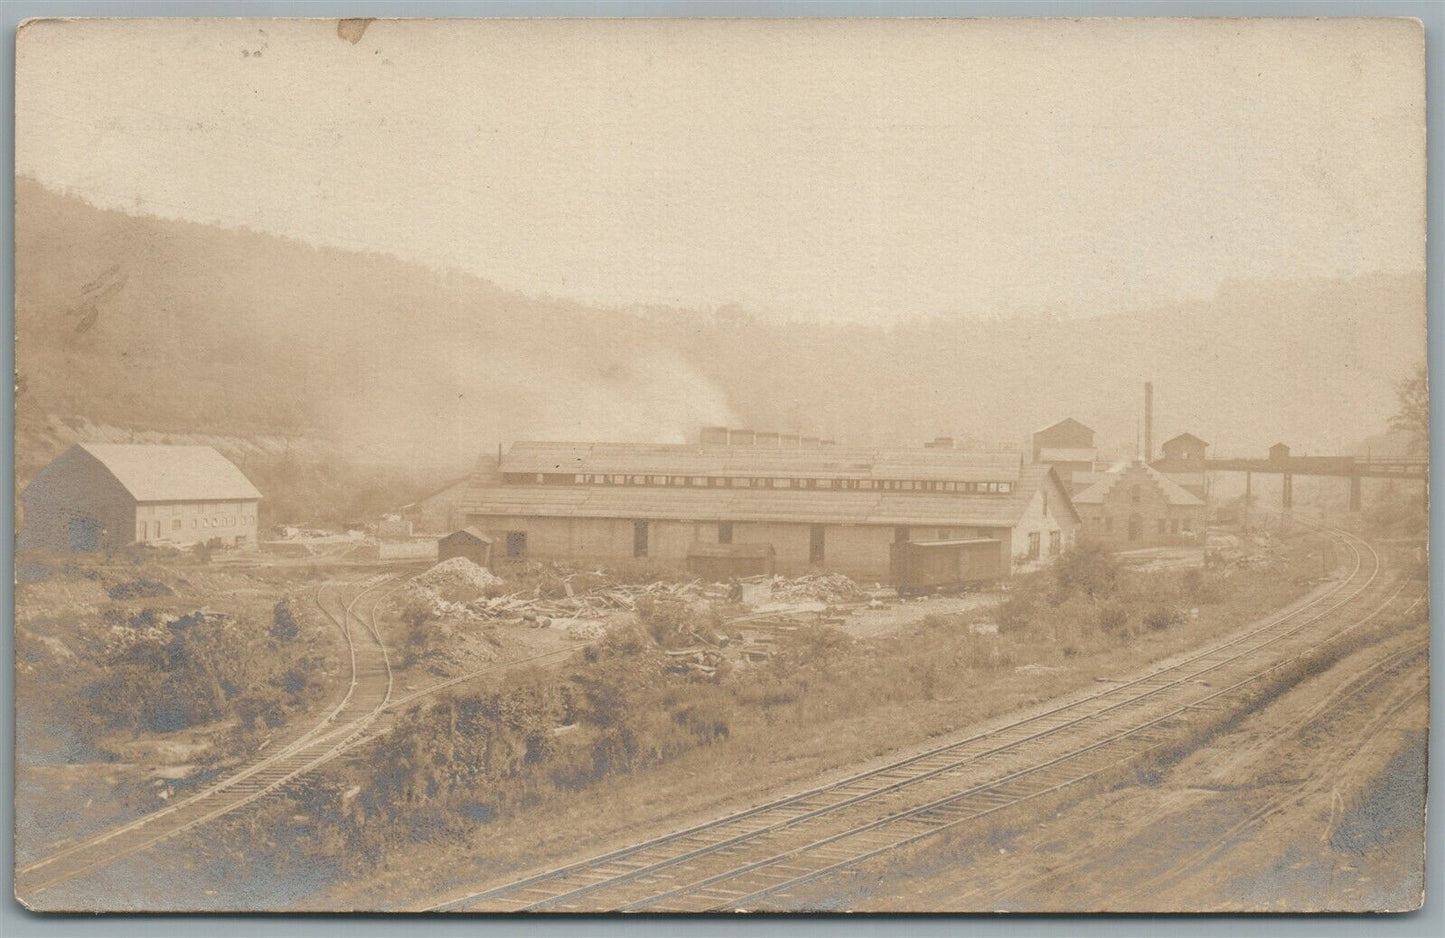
537,742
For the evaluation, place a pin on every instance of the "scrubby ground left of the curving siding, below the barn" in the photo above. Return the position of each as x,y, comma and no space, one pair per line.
139,677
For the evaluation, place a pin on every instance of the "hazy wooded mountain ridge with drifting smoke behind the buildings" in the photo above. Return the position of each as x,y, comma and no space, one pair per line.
239,333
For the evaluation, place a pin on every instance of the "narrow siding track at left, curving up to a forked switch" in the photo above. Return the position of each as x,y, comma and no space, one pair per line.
368,696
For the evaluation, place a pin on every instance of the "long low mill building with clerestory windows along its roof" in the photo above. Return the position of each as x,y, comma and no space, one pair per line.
804,504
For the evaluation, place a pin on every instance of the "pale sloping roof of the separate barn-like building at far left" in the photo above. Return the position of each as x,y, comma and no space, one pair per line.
154,473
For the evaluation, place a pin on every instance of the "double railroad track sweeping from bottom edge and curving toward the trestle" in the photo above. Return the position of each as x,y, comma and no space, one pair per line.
767,852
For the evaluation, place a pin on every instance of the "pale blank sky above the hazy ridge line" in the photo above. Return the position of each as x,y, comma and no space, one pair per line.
806,168
